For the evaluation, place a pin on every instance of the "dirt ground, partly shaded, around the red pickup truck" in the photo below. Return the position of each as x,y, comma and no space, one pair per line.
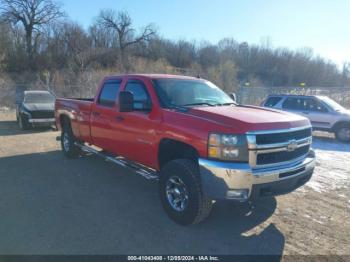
51,205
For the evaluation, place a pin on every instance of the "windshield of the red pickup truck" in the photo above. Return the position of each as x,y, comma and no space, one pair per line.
179,92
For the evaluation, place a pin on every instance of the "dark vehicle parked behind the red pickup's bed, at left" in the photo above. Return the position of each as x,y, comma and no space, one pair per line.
36,109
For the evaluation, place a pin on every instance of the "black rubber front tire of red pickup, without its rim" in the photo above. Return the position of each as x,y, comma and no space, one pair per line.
198,206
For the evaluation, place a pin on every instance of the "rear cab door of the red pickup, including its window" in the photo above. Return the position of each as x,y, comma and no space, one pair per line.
103,114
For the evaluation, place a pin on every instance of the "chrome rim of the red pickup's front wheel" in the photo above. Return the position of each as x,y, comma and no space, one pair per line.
177,193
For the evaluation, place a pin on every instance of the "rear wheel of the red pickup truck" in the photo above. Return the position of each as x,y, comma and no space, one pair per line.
68,142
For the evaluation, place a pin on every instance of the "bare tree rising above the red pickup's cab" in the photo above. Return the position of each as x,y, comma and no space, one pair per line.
126,35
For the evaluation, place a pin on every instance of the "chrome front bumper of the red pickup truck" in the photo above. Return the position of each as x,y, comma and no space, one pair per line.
238,181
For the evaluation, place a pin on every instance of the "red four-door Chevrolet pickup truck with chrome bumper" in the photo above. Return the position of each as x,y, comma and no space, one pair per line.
189,134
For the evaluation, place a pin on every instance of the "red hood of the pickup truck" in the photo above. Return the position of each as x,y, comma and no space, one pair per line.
250,118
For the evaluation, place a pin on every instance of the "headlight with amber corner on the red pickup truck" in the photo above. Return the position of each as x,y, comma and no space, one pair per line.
228,147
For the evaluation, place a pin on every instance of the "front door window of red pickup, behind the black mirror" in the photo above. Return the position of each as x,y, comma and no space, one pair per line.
141,97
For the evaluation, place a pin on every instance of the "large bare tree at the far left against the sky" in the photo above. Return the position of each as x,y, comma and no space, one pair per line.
33,15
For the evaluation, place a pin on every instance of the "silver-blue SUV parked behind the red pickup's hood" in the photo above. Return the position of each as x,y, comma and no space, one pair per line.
324,113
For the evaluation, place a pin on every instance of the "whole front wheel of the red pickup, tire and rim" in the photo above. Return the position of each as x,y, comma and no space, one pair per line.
181,192
